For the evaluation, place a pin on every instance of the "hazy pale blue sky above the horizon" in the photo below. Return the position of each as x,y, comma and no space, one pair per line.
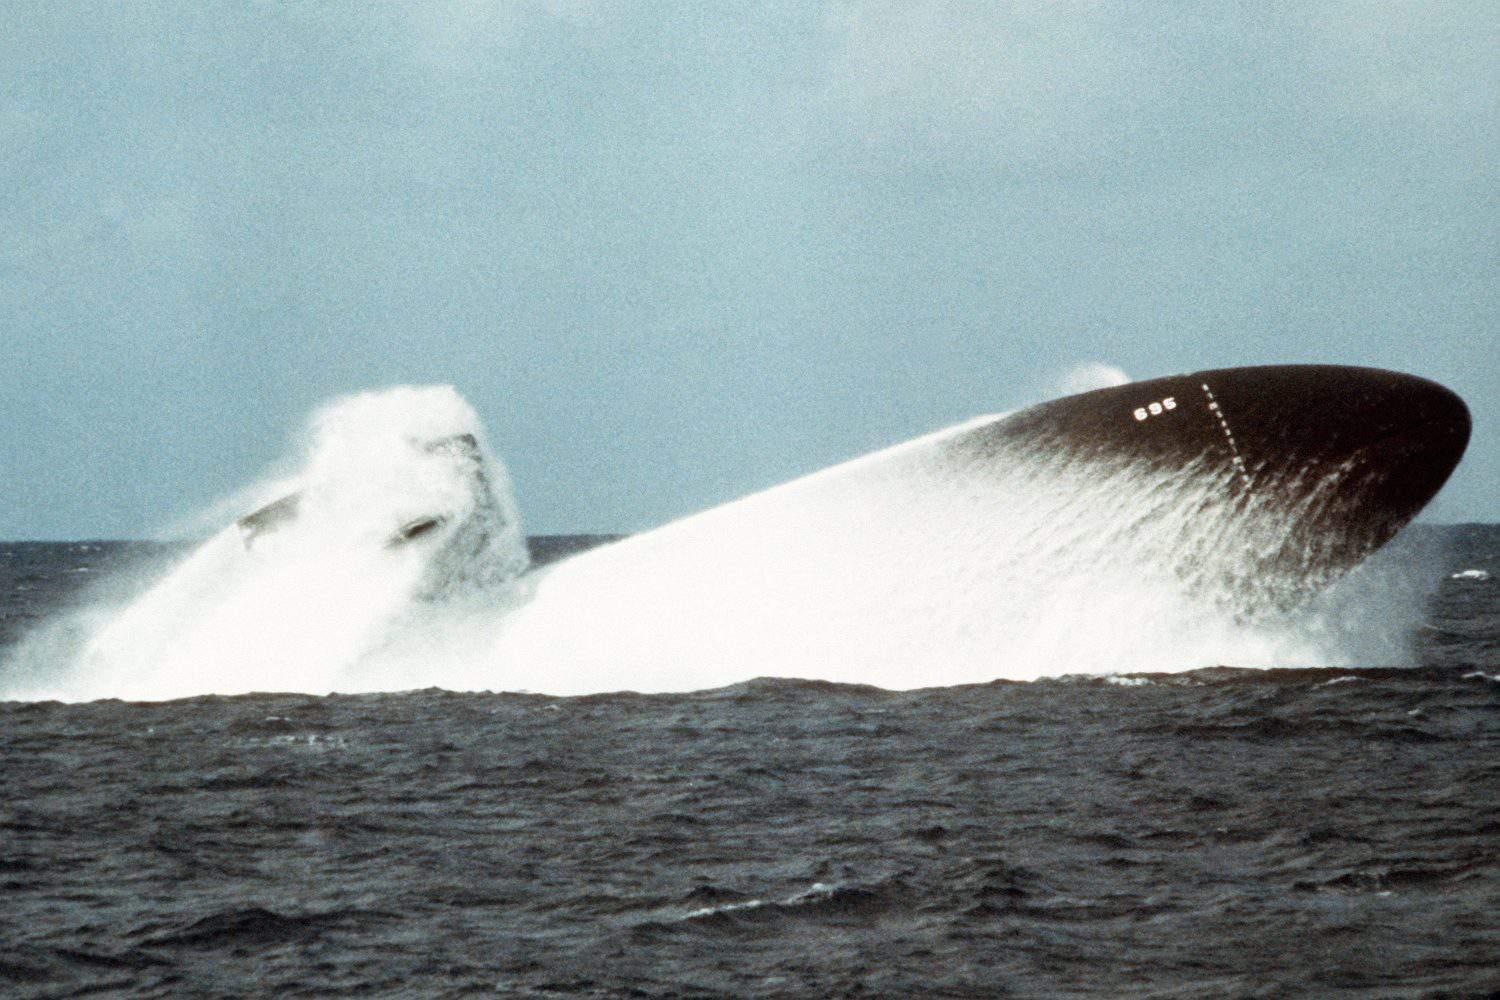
677,254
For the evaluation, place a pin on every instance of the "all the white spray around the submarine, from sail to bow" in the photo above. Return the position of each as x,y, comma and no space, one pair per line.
905,569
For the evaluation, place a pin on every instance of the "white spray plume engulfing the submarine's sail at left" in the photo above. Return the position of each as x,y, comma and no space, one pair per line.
298,594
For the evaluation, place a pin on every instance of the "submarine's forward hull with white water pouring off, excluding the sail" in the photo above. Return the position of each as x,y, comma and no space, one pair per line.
1159,525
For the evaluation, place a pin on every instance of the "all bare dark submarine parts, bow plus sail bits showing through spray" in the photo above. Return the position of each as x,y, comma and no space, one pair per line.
1339,458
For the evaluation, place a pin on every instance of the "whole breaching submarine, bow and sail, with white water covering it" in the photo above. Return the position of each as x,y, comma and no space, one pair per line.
1160,525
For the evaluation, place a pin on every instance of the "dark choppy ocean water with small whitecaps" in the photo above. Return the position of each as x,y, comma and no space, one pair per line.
1222,833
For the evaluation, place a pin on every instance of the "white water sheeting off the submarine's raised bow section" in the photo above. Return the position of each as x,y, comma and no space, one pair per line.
920,567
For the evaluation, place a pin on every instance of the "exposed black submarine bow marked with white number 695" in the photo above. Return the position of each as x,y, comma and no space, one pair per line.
1303,470
